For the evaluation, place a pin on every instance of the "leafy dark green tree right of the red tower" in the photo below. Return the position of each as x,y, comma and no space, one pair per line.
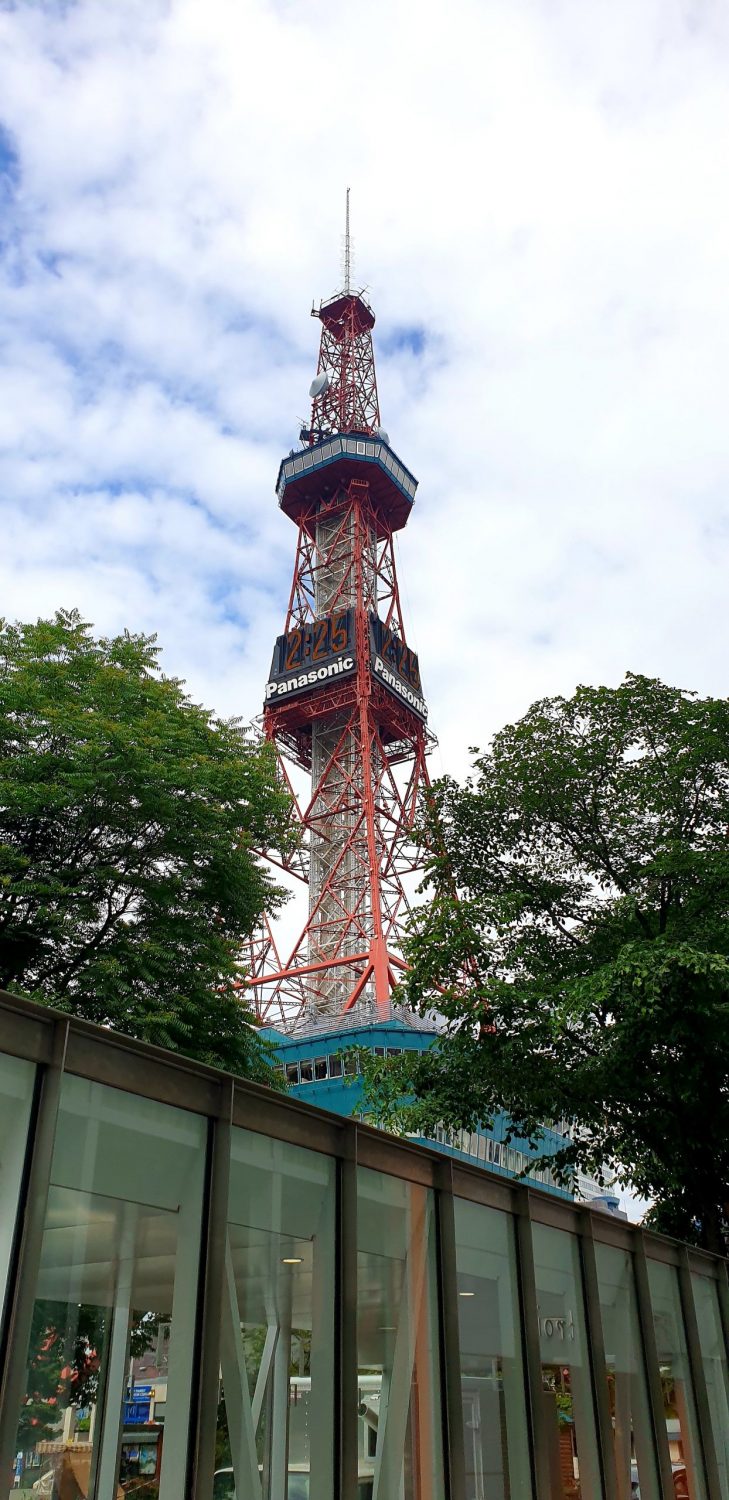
578,946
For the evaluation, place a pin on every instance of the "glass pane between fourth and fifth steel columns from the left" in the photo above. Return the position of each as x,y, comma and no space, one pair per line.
496,1435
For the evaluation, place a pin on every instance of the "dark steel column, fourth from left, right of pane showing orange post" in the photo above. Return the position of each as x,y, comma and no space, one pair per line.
451,1343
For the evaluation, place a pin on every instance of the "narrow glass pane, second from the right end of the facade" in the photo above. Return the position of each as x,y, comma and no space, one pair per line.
679,1402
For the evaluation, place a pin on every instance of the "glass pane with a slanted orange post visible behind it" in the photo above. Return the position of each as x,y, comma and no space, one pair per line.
400,1400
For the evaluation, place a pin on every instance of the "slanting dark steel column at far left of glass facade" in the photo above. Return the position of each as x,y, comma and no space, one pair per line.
23,1294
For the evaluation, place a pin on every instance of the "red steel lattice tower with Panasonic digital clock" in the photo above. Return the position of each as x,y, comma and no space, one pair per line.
344,698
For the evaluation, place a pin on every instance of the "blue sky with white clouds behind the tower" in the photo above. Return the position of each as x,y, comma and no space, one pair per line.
539,211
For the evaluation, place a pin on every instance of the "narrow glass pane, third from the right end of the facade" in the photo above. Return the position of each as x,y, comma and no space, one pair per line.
635,1454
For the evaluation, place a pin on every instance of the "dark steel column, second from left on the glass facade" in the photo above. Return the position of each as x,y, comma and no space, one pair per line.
208,1388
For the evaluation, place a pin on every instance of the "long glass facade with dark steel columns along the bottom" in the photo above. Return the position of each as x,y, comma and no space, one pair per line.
218,1294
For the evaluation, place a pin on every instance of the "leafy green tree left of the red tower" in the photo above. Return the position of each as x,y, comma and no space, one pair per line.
128,820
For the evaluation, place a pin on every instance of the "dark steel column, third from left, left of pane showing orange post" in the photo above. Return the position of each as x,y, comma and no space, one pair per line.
346,1327
